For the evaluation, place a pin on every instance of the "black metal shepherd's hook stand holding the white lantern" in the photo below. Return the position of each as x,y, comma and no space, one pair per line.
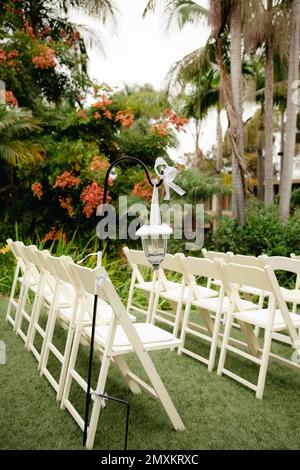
99,254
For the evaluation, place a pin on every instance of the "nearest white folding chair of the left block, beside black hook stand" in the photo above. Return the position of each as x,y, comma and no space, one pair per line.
112,342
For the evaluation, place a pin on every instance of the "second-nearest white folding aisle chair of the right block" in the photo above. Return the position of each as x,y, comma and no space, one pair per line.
210,309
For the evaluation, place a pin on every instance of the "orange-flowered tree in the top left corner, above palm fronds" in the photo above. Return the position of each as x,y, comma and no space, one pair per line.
40,48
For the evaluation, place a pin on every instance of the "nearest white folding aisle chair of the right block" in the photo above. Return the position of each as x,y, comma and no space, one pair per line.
271,319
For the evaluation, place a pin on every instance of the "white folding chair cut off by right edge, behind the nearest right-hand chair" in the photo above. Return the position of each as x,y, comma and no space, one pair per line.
291,296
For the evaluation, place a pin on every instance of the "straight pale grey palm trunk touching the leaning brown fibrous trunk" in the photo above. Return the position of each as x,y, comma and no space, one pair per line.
239,195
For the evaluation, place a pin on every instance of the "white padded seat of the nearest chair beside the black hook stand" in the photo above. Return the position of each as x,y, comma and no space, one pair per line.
150,335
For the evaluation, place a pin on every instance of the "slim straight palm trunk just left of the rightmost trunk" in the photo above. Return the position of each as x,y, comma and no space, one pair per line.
269,190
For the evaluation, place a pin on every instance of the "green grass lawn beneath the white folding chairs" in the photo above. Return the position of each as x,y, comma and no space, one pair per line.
218,413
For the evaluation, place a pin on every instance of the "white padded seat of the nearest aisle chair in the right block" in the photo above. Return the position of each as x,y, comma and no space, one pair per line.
260,318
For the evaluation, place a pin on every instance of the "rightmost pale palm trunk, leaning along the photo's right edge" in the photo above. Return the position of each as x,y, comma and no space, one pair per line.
291,118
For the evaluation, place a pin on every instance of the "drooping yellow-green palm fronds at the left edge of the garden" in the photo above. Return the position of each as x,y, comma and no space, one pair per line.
15,147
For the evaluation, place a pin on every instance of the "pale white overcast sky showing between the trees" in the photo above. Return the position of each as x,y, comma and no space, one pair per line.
141,51
